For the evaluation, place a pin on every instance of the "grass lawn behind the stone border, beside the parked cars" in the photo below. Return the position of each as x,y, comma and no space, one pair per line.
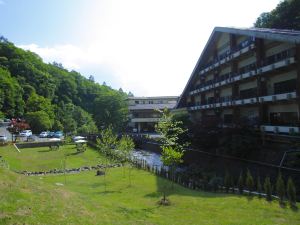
43,159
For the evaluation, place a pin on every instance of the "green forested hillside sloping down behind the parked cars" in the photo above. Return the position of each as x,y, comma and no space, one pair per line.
51,97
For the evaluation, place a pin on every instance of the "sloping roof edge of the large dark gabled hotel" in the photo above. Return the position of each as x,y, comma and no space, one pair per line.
292,36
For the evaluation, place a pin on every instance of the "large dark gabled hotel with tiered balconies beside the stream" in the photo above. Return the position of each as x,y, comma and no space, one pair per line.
247,77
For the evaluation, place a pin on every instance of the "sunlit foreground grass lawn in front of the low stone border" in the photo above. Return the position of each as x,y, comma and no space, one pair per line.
83,200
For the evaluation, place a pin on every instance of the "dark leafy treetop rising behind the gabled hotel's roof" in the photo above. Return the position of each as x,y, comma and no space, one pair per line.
285,16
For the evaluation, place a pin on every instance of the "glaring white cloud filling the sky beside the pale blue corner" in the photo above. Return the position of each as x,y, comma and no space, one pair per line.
150,47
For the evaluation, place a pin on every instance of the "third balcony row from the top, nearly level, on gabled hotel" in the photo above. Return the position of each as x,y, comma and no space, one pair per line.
254,100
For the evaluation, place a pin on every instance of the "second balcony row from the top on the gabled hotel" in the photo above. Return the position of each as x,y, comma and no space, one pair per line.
252,70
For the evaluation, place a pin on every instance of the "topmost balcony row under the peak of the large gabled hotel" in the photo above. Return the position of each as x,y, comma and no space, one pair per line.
240,49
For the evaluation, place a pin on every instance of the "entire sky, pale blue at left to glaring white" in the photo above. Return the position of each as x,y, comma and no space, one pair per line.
148,47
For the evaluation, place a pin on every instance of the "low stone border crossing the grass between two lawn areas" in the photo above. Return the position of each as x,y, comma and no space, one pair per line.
67,171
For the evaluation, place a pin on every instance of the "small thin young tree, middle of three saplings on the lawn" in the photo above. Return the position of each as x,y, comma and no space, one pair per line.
125,146
